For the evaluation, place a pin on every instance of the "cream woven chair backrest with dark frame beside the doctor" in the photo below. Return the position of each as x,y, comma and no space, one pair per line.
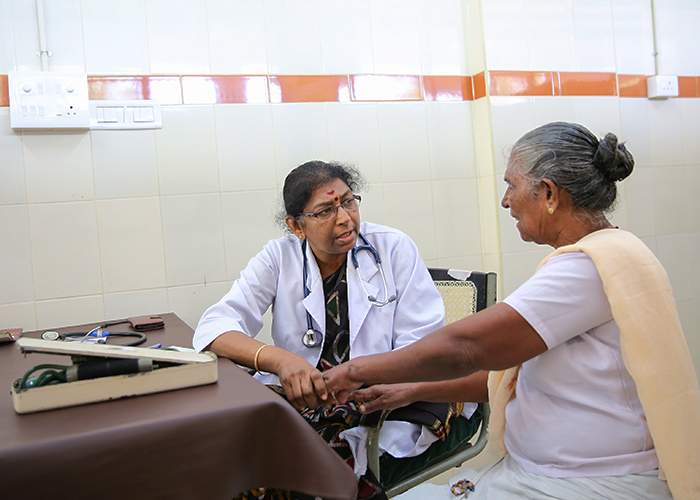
464,292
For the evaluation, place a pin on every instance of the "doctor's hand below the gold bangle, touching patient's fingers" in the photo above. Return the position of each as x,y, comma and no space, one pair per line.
302,383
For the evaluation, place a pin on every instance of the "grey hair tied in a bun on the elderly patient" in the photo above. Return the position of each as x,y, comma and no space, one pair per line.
574,159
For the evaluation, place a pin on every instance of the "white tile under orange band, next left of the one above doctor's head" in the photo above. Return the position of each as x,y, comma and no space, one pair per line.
245,147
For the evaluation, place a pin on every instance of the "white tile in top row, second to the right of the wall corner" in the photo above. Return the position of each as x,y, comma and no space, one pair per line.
551,28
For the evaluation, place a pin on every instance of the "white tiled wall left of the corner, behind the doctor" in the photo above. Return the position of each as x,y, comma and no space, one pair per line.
112,223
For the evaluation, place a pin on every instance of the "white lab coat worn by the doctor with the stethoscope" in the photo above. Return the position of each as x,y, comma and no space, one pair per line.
274,278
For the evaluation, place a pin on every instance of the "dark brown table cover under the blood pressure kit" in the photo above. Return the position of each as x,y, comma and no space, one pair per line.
208,442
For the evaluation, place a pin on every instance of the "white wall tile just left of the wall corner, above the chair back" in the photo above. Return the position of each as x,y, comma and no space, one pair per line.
457,229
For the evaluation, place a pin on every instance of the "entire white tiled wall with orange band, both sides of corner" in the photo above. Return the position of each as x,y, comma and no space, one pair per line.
110,223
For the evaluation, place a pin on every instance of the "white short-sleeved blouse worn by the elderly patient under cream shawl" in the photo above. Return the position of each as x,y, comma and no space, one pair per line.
576,411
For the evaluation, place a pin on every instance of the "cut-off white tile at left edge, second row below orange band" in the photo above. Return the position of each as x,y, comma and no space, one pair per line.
15,255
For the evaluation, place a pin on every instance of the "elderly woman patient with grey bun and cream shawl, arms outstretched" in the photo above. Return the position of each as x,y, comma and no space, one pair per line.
585,366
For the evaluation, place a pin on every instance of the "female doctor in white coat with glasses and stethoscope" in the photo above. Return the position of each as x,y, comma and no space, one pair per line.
339,289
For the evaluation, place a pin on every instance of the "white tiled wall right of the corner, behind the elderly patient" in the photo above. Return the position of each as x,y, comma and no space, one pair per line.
659,201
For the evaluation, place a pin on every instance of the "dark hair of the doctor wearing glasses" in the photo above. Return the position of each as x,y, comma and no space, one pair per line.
303,180
